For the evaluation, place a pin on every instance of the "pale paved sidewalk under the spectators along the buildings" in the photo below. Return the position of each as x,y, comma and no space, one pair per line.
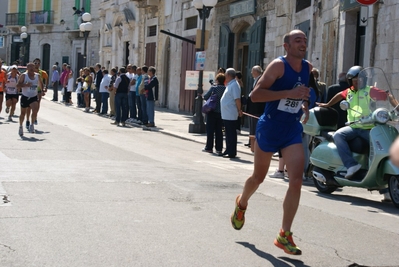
171,123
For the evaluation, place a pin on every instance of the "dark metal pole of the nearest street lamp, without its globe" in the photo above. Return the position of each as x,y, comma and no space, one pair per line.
198,125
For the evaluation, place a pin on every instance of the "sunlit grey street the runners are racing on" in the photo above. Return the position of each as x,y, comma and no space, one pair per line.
86,193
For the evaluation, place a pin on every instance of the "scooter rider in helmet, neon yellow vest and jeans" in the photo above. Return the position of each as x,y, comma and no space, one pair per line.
358,107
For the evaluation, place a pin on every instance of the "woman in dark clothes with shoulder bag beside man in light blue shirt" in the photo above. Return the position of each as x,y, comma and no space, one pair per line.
214,118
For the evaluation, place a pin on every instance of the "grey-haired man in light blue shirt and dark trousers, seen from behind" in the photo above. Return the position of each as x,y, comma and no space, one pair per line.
230,106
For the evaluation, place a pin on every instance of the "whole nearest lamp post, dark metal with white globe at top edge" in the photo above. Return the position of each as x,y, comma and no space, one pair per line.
204,8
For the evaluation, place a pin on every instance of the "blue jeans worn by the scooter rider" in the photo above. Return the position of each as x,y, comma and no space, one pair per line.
341,139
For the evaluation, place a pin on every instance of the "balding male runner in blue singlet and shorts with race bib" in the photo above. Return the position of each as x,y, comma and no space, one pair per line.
284,86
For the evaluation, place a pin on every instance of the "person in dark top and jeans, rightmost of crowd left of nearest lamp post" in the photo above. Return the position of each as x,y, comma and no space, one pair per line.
151,94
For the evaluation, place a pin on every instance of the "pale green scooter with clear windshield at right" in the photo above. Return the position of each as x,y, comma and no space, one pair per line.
377,171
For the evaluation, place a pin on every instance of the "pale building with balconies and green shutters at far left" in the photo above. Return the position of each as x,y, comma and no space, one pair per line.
53,33
